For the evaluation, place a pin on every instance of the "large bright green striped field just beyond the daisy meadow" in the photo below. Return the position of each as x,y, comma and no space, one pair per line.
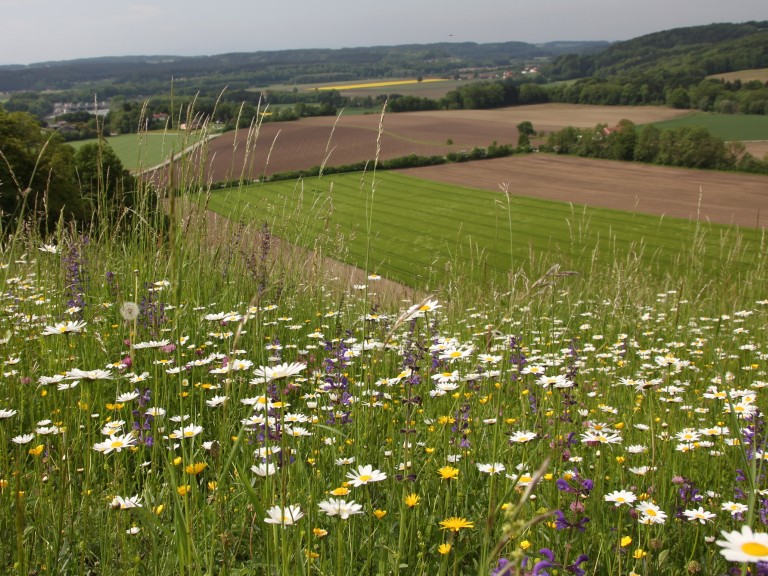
419,229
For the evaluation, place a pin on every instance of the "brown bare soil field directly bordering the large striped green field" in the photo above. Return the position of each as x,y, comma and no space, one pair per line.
707,195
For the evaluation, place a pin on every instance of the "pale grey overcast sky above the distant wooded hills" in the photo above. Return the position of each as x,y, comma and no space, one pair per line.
44,30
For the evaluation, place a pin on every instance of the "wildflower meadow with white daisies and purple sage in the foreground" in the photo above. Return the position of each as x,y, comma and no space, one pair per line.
175,405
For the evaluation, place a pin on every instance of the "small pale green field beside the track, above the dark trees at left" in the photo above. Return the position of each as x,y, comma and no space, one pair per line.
147,149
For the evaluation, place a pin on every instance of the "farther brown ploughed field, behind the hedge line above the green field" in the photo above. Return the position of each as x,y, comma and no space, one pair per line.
285,146
